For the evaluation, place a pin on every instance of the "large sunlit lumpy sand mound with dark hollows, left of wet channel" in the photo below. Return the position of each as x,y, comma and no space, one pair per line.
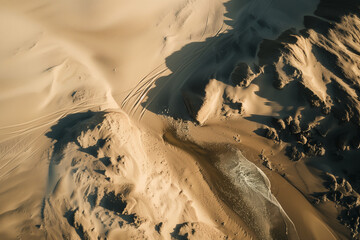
103,184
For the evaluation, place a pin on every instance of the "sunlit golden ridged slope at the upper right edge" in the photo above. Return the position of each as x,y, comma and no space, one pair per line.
323,60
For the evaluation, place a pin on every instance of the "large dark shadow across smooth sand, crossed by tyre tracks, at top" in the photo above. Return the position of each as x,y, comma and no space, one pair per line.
193,66
